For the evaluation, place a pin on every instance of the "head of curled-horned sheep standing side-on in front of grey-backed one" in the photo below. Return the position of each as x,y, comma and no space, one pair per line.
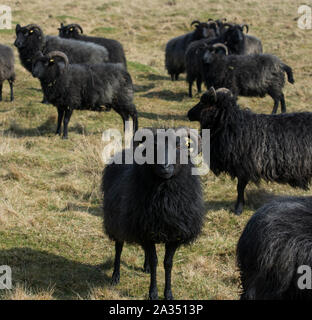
47,68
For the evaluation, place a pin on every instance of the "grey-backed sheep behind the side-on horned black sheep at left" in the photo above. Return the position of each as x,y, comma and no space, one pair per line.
30,40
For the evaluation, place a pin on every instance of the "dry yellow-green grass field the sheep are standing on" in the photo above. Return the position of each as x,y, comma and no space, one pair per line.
50,204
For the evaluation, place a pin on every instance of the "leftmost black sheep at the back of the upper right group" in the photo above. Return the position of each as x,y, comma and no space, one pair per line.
175,48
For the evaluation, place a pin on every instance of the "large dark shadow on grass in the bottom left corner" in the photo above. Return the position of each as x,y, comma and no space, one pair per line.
41,271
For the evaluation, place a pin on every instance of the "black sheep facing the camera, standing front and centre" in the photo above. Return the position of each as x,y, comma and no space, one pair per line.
156,203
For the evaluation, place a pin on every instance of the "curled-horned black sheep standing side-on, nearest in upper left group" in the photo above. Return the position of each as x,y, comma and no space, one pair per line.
85,87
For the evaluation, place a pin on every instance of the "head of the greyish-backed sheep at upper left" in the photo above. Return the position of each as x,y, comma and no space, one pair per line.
27,37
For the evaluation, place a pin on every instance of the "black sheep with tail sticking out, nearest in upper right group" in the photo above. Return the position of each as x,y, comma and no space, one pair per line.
246,75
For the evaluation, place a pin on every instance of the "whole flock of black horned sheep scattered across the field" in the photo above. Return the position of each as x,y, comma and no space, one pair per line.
152,203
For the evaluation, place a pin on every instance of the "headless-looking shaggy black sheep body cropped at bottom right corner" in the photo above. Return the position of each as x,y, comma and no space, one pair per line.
275,243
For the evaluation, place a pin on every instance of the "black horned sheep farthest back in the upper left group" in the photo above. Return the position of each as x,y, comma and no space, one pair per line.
114,48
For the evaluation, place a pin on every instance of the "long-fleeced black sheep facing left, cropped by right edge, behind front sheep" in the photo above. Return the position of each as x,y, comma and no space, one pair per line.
251,147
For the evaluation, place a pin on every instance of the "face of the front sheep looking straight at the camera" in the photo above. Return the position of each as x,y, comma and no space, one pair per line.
166,148
